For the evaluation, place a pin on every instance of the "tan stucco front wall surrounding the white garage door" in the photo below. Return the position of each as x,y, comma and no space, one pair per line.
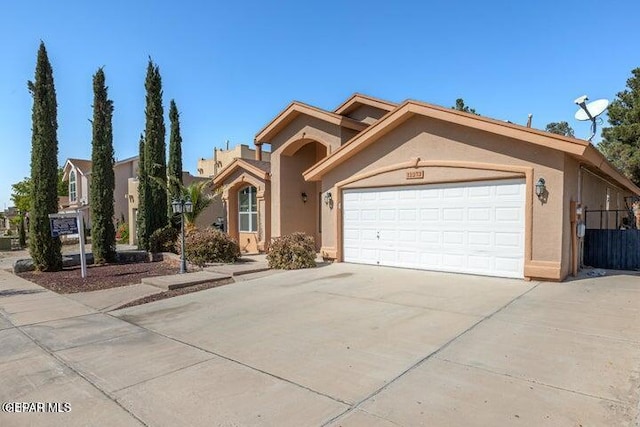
437,142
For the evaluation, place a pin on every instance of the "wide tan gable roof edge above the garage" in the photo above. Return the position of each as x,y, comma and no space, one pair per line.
583,150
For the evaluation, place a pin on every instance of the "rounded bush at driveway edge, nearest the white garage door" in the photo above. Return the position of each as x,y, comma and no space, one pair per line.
292,252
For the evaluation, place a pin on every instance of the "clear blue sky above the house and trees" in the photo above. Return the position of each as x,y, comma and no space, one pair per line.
232,66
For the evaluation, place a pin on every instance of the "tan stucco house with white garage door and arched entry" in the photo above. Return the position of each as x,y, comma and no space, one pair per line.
422,186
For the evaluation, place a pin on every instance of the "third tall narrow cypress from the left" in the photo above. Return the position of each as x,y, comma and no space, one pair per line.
155,165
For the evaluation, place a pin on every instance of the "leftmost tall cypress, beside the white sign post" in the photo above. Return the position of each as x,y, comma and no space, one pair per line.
45,250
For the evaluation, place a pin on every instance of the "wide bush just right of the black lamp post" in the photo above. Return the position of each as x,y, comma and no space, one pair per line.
210,245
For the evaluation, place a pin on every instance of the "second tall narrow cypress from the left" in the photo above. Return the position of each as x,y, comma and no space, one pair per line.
103,233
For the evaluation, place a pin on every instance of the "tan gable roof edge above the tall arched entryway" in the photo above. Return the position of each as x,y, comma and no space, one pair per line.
295,109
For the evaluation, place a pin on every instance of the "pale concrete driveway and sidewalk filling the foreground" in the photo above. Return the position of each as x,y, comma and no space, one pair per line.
340,345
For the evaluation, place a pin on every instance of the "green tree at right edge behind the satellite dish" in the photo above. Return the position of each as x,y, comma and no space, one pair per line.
621,142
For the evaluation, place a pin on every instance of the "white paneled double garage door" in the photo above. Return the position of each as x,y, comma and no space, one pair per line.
472,227
